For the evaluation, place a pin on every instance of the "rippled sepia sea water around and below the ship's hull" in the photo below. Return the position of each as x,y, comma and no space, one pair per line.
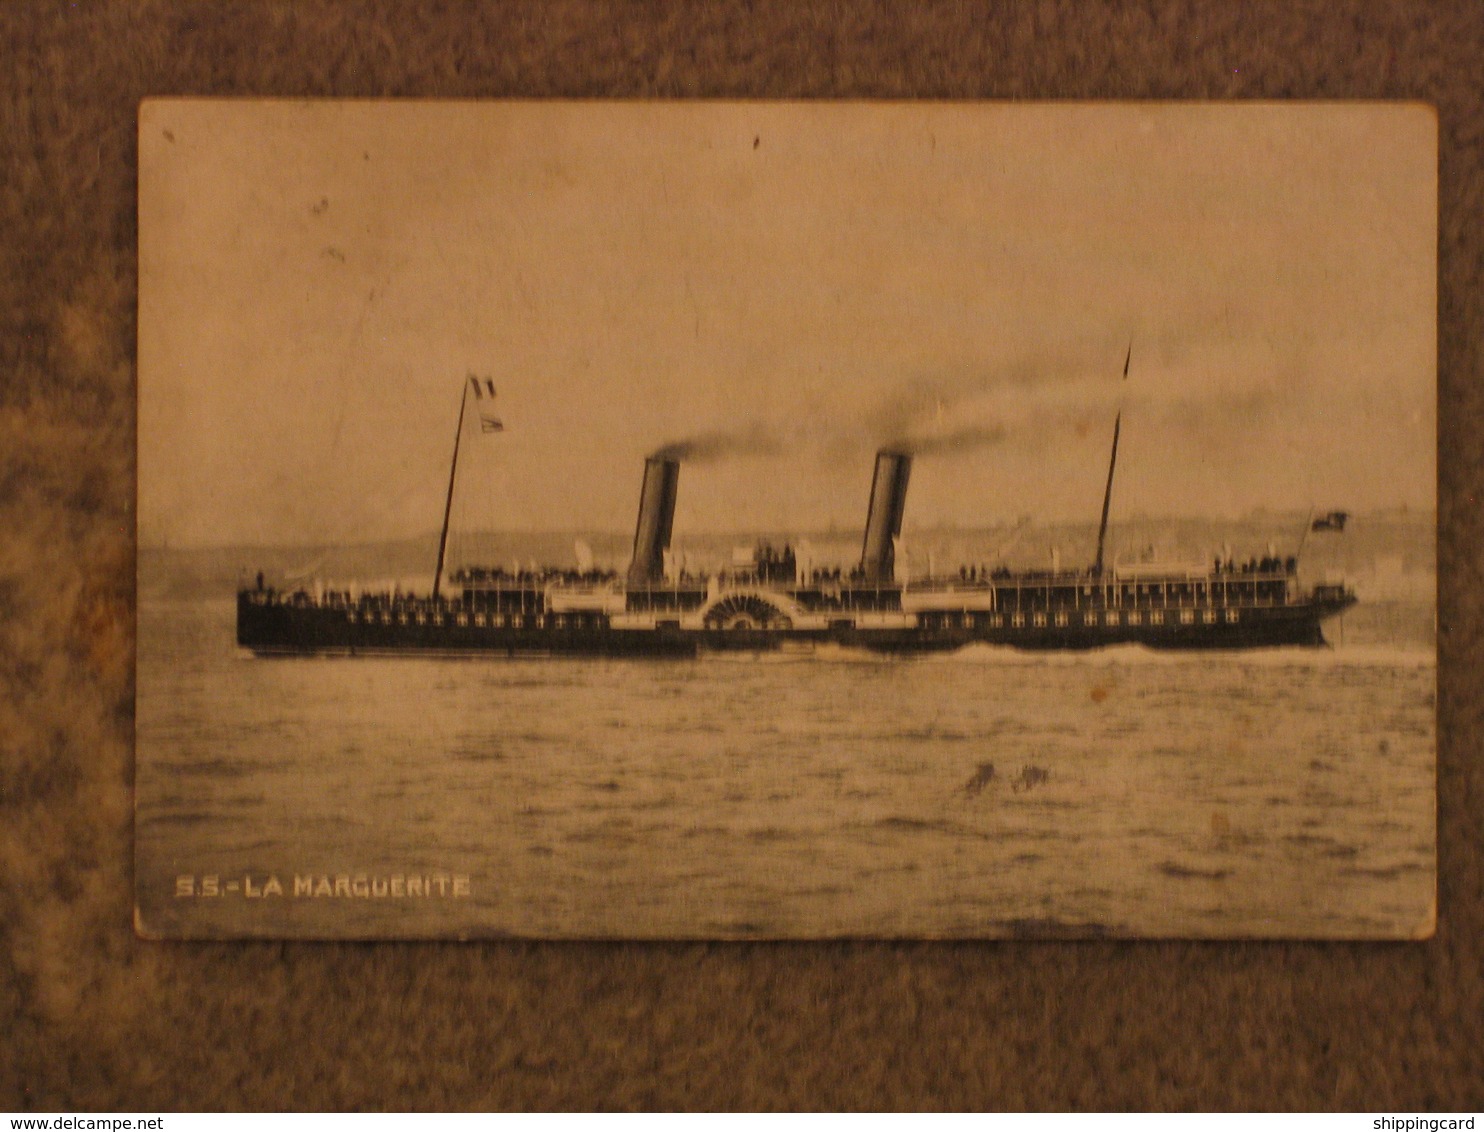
1284,793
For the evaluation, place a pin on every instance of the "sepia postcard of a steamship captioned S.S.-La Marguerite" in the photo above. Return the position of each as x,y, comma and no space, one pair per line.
765,520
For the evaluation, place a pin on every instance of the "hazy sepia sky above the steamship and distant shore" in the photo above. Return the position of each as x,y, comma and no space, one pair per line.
778,290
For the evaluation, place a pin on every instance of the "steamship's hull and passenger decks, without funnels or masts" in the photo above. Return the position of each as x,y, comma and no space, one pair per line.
1041,613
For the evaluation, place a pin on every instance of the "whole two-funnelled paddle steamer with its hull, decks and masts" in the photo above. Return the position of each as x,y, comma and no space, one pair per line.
780,600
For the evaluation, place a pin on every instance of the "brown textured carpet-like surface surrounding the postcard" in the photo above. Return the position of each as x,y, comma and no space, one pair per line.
93,1019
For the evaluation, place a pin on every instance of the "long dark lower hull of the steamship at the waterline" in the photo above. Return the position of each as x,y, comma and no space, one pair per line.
286,630
